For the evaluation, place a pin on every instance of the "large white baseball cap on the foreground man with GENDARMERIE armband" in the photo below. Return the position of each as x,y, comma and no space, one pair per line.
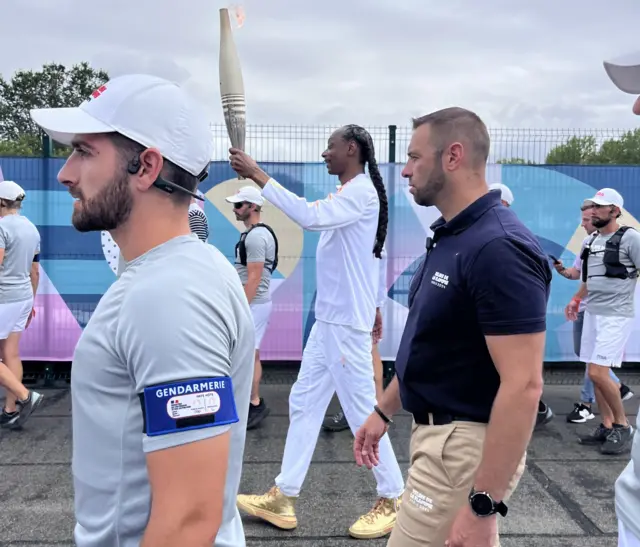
149,110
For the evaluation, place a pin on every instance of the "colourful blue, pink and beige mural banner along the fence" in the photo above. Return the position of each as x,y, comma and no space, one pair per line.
76,269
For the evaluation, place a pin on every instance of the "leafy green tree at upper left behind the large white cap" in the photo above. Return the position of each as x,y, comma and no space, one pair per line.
51,87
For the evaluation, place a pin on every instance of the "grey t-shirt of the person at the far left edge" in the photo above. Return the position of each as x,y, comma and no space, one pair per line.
20,240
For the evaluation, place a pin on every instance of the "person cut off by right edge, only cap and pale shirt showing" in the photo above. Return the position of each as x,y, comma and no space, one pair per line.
627,78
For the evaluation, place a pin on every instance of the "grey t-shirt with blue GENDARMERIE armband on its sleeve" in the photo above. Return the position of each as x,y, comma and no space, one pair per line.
176,322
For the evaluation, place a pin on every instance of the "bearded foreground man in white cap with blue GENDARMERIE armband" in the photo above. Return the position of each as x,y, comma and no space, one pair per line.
167,355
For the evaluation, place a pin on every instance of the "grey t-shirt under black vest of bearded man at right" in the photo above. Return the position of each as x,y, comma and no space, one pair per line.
609,296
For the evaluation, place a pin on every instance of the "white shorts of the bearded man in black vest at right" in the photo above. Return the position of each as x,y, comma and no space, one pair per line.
604,338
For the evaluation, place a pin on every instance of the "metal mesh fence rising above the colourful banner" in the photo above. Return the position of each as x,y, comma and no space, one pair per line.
299,143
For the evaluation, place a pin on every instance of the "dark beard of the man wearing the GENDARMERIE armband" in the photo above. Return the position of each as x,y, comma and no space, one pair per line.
108,210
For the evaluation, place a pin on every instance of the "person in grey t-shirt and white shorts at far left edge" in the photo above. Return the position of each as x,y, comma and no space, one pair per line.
19,275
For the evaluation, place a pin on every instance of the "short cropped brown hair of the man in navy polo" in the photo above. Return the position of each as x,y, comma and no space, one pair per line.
458,124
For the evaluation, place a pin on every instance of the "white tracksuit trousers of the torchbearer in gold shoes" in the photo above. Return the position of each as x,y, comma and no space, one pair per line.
338,359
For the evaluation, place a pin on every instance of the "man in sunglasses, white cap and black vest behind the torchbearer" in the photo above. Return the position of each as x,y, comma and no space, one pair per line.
256,258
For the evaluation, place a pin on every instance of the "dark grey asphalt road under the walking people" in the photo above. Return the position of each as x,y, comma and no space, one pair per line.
564,499
